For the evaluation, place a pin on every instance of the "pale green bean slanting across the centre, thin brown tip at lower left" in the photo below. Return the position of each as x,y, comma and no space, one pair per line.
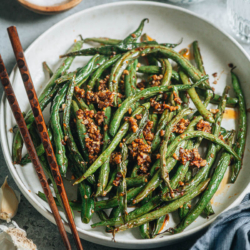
116,140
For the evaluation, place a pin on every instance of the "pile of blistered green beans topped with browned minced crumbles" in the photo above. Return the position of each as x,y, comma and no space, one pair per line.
120,124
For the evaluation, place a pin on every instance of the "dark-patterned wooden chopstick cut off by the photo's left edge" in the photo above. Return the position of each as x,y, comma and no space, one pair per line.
31,149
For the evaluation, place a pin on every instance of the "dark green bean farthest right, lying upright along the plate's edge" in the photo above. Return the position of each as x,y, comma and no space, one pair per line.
241,135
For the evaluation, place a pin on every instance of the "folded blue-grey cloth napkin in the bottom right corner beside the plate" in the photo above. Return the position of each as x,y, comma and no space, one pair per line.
230,231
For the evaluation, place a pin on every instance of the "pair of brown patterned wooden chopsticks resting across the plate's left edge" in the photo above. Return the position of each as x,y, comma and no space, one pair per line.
41,126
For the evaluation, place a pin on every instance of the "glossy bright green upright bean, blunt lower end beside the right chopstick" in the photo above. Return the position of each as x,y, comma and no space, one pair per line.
58,137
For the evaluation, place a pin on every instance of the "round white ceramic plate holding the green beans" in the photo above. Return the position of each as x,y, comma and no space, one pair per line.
167,24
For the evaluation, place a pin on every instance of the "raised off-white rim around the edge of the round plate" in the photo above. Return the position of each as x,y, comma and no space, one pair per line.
41,209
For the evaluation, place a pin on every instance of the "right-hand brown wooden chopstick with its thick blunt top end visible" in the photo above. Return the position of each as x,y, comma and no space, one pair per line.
23,67
